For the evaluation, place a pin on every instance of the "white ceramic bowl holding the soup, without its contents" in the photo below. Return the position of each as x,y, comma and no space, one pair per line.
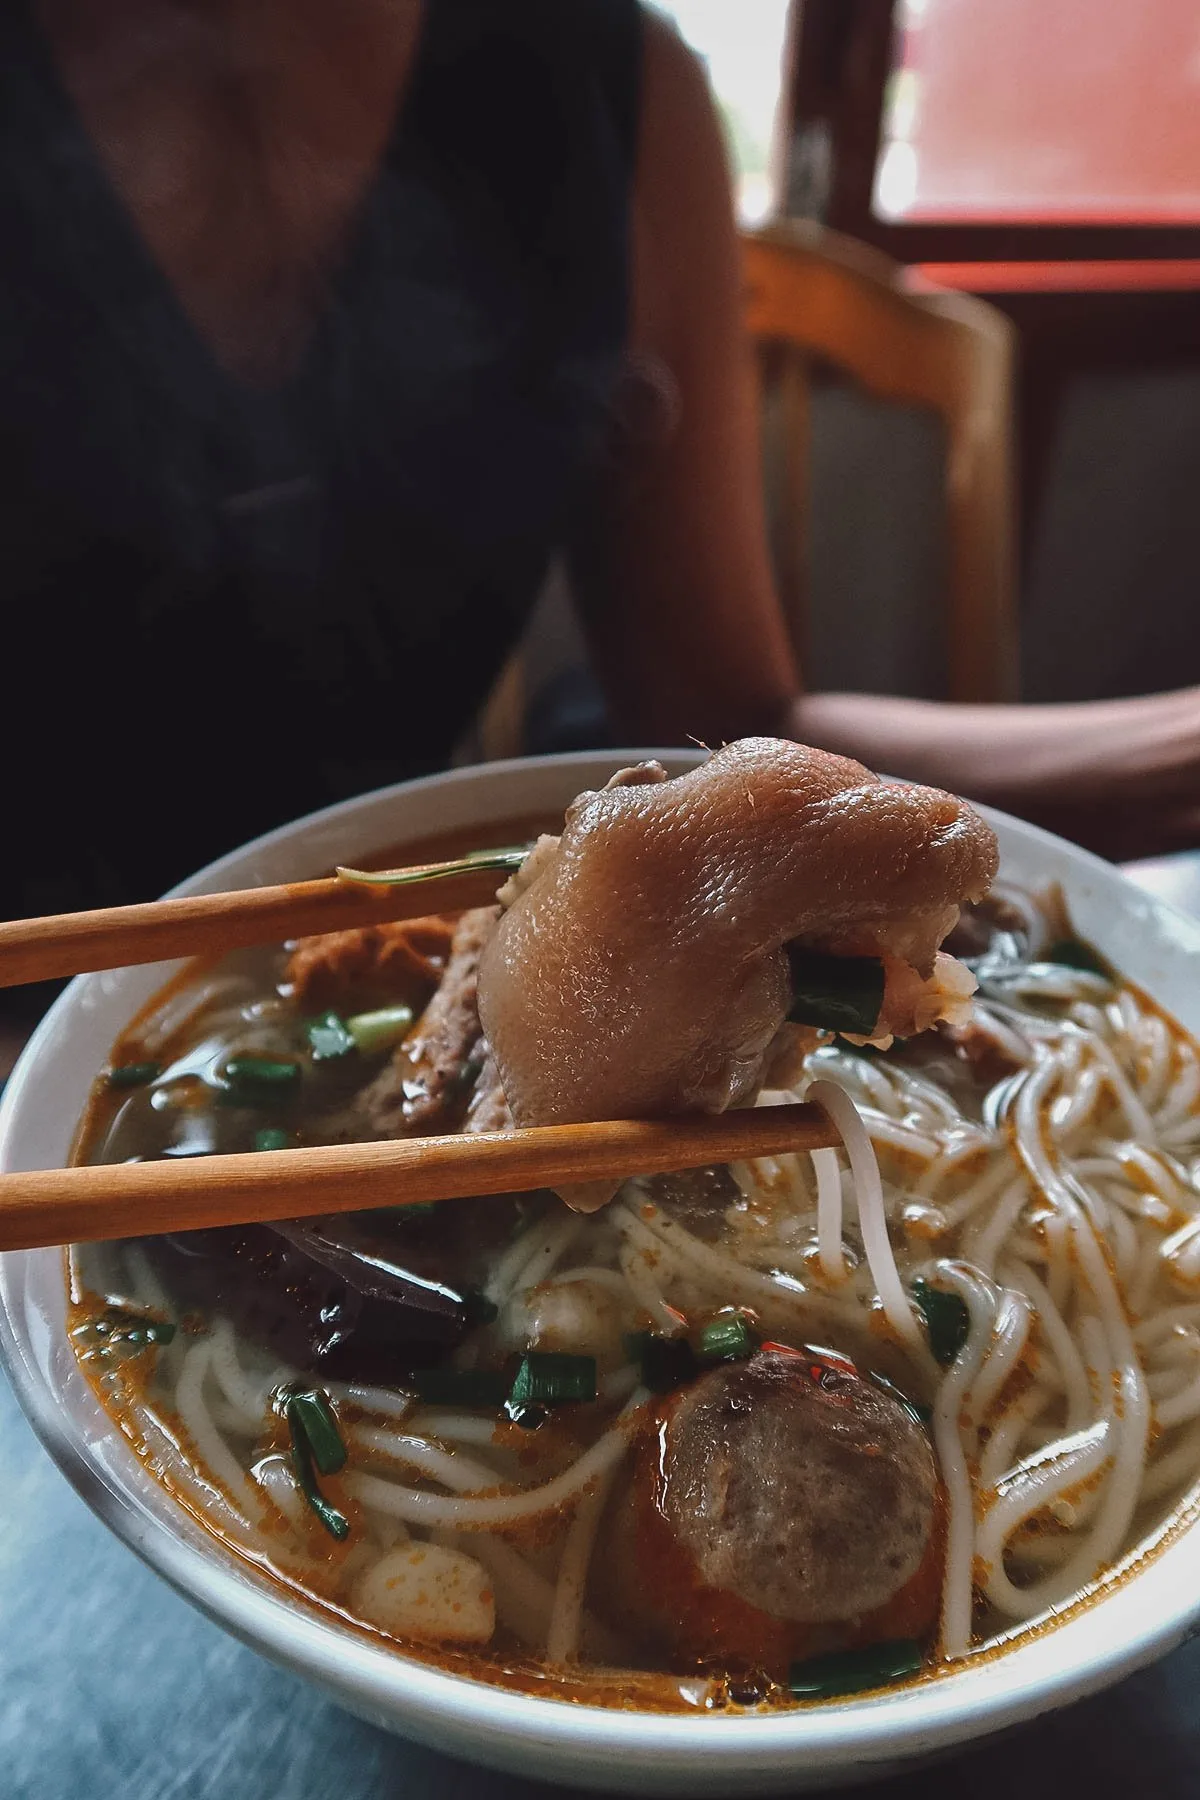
1143,1615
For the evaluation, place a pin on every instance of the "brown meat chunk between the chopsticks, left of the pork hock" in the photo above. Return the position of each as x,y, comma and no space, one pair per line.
429,1083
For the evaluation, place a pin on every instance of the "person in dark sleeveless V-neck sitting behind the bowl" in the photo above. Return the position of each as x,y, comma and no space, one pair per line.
323,330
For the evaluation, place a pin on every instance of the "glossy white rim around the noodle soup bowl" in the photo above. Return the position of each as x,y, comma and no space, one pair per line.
467,1714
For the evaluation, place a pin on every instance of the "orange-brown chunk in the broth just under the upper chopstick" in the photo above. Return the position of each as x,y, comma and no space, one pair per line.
400,960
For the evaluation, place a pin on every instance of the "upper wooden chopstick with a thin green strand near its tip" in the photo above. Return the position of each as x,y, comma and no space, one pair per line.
71,944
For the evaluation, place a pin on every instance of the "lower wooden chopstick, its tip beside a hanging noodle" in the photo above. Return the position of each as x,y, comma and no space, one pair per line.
143,1200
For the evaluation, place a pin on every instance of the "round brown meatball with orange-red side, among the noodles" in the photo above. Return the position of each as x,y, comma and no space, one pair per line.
784,1506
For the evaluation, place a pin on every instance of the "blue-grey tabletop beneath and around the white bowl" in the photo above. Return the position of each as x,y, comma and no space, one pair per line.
116,1689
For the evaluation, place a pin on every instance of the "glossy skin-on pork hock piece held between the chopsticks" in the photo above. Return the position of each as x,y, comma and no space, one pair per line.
650,958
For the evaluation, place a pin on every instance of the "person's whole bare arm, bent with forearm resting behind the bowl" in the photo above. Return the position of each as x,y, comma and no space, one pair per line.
679,597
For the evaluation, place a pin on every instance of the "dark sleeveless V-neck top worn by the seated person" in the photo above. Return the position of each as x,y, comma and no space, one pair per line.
224,607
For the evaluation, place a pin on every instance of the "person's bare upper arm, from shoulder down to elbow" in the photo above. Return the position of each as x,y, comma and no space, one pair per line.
674,580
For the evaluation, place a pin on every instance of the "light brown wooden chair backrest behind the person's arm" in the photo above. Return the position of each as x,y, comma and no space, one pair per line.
816,298
